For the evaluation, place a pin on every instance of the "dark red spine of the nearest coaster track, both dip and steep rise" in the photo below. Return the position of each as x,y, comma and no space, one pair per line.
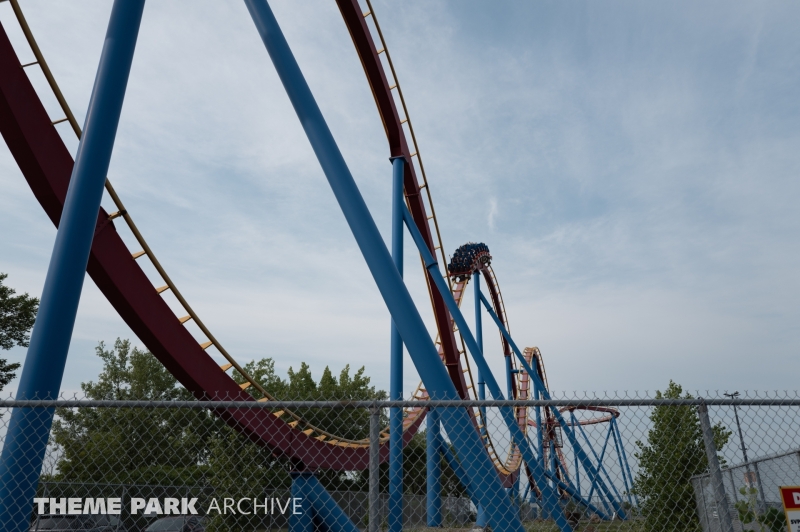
47,166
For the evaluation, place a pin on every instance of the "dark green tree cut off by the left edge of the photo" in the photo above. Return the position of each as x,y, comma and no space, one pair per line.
17,314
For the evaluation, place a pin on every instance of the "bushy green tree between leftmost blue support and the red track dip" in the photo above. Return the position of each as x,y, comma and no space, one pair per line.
126,445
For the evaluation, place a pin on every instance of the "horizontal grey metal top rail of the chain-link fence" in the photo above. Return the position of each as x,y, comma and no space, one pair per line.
577,403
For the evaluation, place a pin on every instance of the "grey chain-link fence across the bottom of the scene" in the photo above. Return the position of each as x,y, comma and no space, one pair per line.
571,463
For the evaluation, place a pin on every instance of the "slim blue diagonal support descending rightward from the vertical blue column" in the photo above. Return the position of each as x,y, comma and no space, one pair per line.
549,497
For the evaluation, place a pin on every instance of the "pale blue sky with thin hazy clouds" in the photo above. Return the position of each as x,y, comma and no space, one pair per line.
631,166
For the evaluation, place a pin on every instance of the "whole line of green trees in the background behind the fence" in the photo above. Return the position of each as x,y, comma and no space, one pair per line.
195,448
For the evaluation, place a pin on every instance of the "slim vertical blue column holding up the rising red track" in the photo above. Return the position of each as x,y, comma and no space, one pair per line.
396,362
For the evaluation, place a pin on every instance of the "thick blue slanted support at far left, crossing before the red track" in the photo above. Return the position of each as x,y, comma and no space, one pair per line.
28,431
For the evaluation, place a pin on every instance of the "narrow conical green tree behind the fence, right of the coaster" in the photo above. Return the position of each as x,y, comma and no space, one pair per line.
674,452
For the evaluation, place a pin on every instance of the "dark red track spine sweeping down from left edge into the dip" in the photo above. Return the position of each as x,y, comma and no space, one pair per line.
47,166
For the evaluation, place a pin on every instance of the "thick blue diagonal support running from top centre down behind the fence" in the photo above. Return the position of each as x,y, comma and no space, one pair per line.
481,476
